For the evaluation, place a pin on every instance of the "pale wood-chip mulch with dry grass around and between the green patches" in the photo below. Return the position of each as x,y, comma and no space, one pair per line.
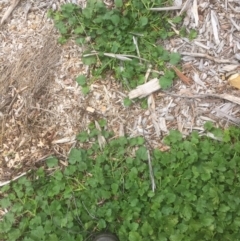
42,107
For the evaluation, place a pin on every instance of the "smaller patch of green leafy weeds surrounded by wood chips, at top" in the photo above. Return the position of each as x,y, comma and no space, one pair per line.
123,38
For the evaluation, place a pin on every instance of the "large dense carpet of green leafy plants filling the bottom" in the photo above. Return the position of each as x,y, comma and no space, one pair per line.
196,196
